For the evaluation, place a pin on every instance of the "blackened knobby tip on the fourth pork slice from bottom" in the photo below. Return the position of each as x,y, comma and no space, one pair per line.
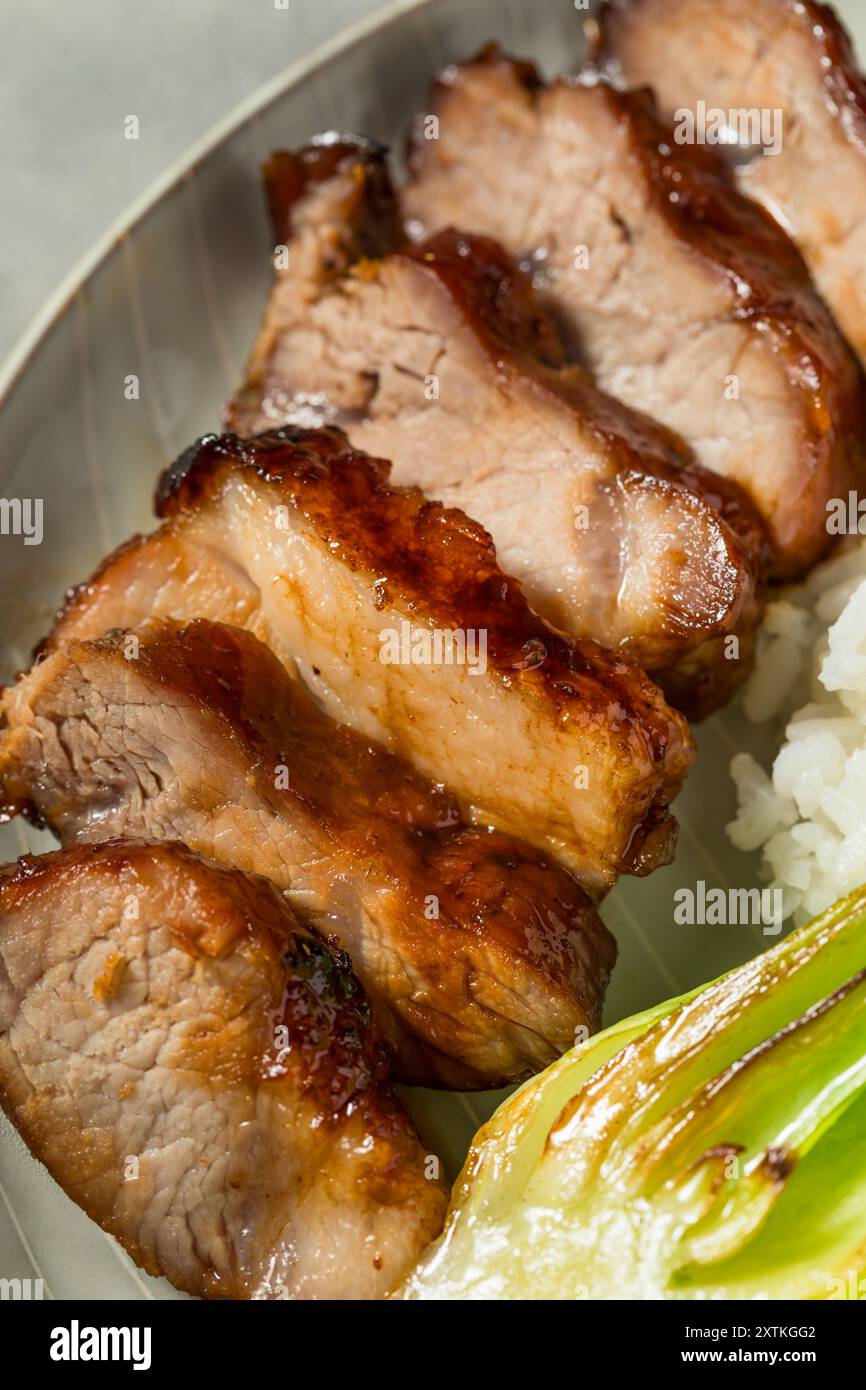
291,176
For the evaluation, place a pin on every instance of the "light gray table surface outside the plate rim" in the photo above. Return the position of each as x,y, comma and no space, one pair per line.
73,70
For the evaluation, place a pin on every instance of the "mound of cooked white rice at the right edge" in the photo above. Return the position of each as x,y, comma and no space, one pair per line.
808,812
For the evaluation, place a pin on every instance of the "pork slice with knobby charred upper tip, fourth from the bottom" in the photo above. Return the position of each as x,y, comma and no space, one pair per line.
439,359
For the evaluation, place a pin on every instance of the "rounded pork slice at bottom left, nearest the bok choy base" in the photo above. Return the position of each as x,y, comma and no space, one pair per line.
202,1077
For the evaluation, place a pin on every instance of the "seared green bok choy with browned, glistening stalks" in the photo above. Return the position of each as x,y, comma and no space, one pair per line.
714,1147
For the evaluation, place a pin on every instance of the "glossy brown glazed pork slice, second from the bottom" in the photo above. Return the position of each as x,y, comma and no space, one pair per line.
483,960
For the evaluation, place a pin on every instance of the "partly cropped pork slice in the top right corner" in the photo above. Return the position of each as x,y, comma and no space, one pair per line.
790,66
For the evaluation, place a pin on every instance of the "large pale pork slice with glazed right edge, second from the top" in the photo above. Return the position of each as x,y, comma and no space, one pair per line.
682,297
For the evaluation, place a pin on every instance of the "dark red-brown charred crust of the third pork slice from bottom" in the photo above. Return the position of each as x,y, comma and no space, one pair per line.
441,565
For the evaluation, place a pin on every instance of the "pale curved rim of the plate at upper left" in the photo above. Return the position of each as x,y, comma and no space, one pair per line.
47,318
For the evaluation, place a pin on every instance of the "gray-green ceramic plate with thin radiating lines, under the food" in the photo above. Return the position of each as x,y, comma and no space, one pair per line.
173,297
